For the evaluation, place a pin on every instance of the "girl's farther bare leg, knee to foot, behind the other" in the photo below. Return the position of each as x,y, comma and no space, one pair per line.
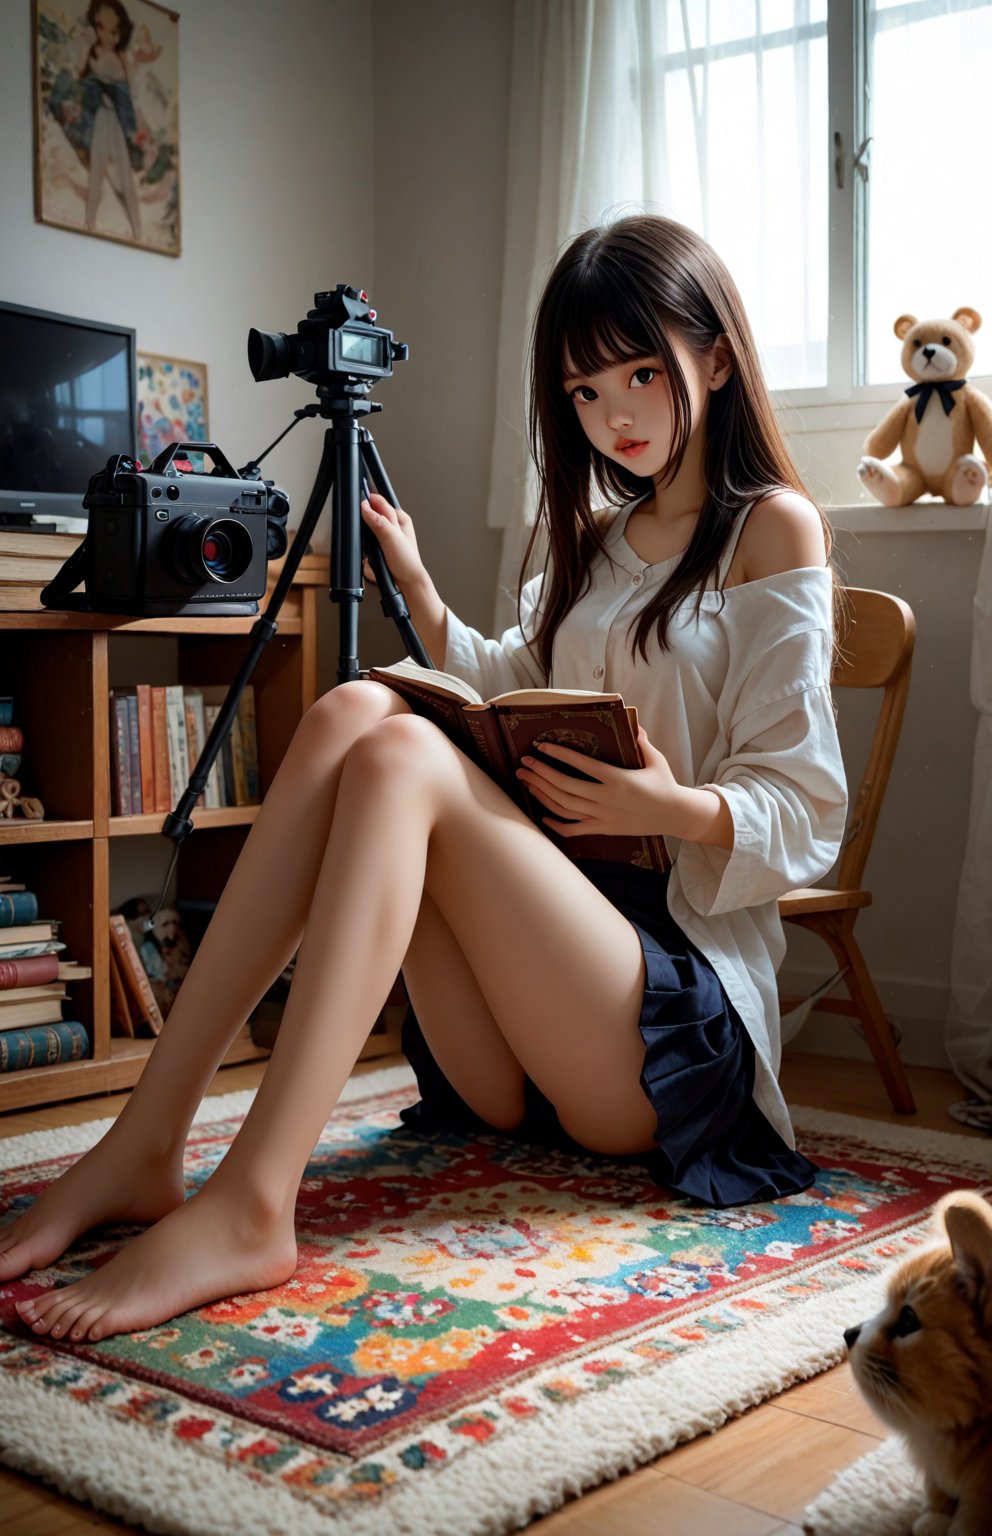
136,1173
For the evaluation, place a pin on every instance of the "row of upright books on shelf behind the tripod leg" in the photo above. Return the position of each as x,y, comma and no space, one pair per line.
156,741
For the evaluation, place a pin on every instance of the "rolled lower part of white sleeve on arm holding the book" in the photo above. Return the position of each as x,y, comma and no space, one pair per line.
785,787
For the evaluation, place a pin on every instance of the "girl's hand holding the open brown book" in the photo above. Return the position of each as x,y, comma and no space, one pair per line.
621,801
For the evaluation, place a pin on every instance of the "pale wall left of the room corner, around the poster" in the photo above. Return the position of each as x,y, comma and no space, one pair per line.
276,145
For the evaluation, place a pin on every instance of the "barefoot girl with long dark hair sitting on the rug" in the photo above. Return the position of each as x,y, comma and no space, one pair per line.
600,1005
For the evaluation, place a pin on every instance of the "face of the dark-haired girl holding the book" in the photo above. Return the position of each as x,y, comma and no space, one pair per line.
627,411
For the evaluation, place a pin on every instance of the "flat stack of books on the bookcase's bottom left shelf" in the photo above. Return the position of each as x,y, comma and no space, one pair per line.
33,987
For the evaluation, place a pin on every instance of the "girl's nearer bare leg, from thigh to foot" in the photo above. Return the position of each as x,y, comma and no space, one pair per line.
558,965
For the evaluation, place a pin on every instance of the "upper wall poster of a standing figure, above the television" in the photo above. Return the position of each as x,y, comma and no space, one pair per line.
107,121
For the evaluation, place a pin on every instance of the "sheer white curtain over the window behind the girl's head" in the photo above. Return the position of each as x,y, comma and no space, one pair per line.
710,111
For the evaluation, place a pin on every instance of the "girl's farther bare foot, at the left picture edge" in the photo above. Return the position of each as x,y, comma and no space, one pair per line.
113,1182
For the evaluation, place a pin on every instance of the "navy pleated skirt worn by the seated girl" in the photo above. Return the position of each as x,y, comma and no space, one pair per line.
713,1144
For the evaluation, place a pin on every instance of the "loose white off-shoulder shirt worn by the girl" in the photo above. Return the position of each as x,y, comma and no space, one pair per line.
739,704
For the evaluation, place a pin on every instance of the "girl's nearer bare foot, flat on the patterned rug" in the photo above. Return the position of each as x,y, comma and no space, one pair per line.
214,1246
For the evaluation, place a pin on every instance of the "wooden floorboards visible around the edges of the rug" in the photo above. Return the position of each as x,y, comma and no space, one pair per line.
753,1478
